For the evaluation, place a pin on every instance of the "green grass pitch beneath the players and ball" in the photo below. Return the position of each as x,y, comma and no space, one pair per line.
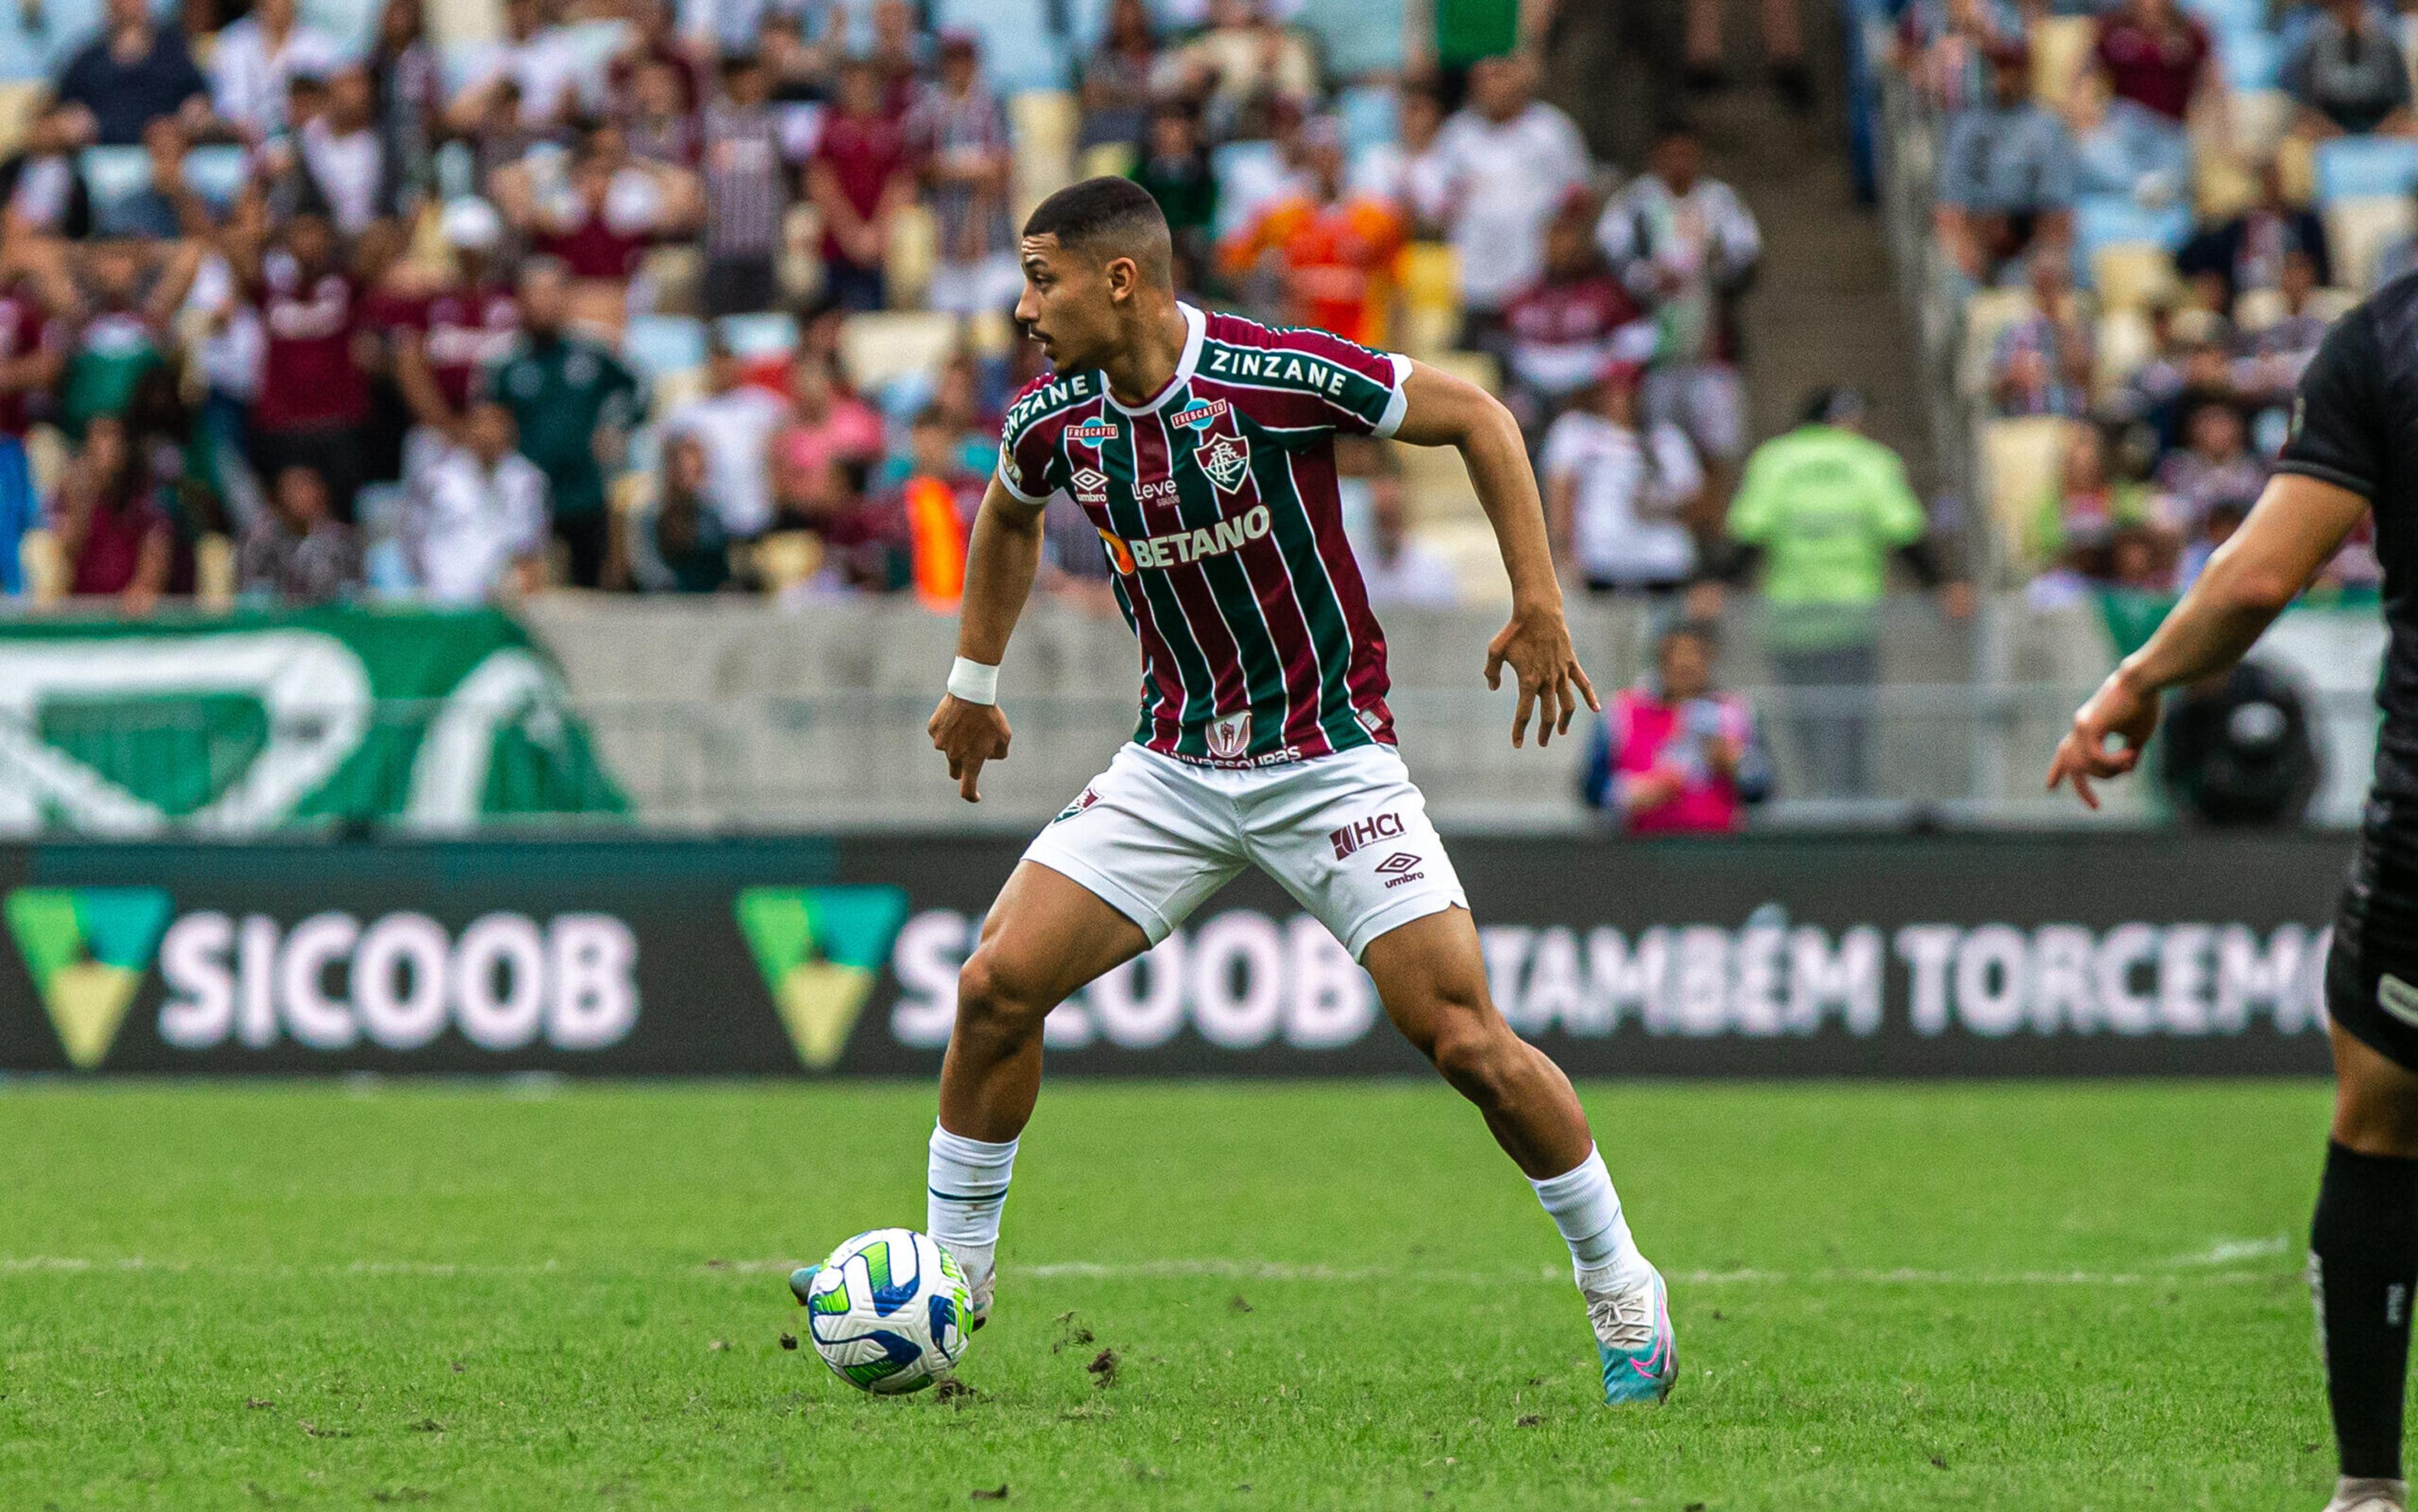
1319,1295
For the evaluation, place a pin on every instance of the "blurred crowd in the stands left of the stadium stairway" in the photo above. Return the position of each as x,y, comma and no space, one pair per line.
620,296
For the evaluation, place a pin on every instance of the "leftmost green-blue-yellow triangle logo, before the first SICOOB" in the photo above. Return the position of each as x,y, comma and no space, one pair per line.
88,952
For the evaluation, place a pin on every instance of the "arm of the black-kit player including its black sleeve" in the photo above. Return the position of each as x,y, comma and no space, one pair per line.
2325,480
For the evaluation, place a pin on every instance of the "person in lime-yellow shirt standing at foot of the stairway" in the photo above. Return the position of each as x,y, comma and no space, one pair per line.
1822,512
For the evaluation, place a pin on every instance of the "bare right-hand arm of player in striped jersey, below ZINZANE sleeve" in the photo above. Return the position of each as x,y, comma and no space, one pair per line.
1445,410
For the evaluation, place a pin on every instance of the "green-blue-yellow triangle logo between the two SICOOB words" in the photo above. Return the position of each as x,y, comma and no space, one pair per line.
821,952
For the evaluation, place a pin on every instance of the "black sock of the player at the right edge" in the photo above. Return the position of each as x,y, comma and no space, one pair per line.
2364,1259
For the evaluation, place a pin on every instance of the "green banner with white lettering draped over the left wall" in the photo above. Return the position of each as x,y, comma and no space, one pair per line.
265,722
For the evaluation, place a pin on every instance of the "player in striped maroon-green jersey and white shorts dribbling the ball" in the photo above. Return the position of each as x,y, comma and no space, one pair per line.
1201,446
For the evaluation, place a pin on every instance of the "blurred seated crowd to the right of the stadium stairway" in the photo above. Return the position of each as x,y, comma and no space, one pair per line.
2148,214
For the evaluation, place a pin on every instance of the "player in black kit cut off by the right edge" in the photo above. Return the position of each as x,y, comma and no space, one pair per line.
2354,449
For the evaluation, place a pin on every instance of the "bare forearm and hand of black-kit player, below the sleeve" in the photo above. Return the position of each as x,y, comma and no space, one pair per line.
2298,526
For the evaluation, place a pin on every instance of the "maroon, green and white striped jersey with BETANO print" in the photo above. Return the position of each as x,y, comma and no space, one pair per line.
1220,516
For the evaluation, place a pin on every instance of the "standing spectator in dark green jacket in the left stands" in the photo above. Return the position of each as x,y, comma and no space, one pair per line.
574,405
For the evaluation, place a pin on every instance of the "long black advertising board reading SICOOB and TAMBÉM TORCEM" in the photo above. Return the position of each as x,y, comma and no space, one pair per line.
1776,957
